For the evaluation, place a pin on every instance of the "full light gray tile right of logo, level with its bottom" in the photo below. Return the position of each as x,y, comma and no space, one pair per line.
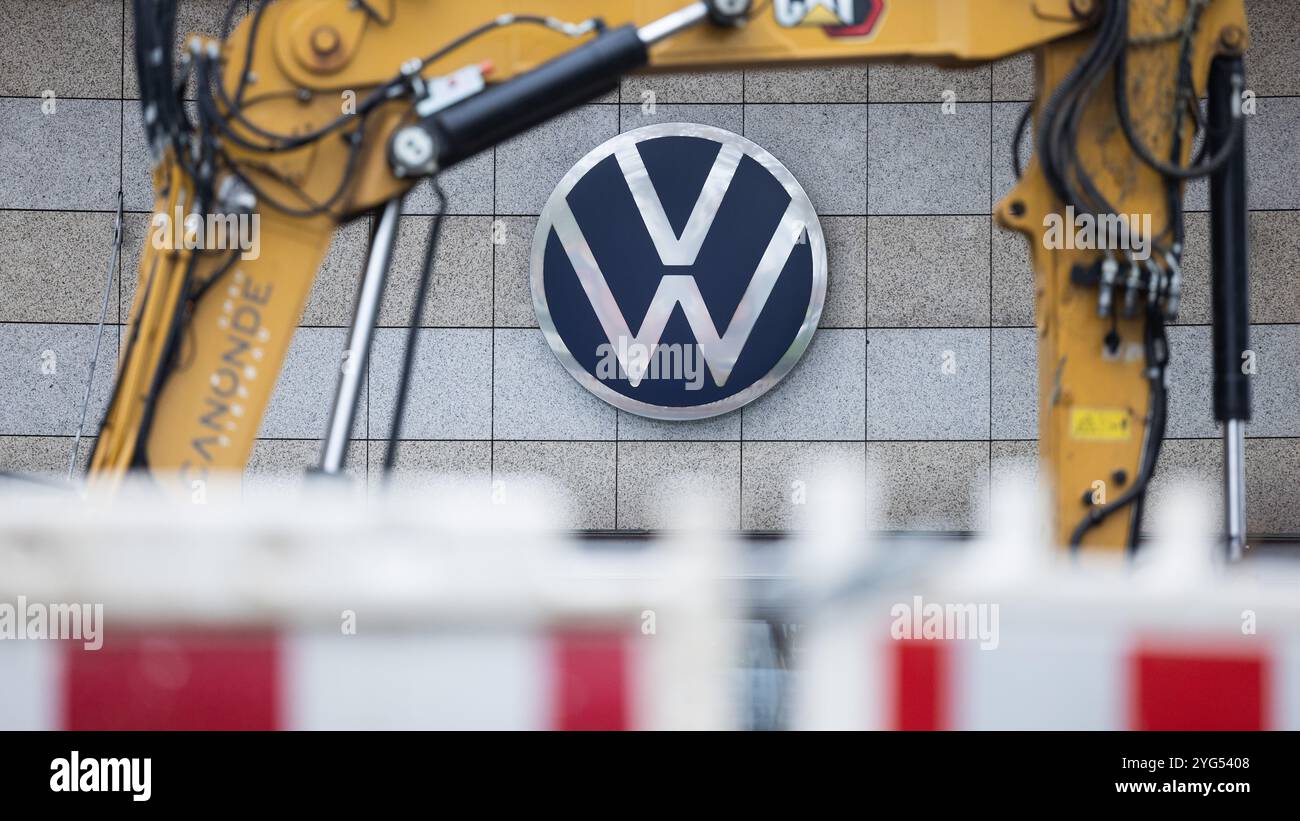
928,384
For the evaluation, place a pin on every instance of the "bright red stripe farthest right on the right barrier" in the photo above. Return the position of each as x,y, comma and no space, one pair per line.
1181,689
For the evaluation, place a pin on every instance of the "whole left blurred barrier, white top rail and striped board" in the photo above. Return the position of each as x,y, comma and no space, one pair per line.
322,614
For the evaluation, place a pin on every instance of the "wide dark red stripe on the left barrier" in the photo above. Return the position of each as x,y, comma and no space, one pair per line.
174,681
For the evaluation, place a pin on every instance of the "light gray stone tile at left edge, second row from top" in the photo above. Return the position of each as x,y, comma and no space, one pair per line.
67,160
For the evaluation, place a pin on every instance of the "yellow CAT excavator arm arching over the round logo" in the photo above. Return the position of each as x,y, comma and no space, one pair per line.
210,332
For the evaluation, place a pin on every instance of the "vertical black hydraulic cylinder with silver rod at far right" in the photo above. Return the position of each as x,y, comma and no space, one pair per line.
1229,290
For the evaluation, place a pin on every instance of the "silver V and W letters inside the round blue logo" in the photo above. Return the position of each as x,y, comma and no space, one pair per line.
721,351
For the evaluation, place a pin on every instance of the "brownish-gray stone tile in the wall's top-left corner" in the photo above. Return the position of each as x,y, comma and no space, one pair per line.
72,47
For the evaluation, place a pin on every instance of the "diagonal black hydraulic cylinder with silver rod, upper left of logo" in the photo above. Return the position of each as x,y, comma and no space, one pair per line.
566,82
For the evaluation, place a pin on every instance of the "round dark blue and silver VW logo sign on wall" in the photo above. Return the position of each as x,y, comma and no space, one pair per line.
679,272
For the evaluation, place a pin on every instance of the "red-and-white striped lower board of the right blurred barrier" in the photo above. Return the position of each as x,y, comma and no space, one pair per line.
1048,676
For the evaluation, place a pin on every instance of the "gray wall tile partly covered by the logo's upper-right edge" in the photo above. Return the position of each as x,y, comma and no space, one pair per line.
824,146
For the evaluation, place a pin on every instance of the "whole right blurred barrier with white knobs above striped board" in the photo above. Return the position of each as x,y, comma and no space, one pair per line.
1012,635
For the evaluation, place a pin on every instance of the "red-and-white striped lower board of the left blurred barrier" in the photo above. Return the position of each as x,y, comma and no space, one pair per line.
245,680
